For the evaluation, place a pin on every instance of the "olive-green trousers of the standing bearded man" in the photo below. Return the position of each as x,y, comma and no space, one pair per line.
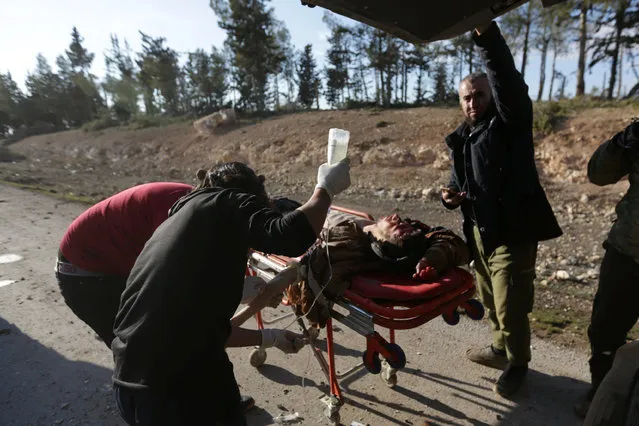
505,286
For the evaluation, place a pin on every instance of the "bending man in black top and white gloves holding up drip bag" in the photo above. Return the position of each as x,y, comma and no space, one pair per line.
173,323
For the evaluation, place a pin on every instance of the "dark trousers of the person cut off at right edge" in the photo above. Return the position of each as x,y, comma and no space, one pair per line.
615,311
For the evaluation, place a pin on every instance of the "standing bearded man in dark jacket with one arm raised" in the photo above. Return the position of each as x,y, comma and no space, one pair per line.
506,213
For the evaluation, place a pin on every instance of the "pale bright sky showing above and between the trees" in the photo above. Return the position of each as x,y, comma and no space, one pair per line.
30,27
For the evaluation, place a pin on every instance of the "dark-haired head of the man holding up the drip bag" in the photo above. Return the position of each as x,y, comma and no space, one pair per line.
232,175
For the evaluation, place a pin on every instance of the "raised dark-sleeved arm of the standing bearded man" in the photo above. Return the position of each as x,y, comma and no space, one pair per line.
508,87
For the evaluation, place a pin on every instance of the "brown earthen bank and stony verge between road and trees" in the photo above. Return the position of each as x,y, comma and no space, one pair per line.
399,162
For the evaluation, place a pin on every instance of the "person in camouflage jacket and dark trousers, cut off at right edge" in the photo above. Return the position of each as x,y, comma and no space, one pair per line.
615,309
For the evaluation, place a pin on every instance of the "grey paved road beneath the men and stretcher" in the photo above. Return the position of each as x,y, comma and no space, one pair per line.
54,371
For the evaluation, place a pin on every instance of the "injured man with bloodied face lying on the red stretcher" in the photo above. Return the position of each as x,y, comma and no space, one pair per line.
350,245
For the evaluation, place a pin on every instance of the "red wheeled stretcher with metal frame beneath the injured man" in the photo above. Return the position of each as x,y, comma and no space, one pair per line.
389,314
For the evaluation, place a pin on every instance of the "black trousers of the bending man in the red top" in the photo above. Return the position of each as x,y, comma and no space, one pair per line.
95,300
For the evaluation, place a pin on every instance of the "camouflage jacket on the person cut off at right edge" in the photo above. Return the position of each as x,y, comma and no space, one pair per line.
613,160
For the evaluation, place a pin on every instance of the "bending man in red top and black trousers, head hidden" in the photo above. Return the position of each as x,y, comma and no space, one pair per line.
99,249
